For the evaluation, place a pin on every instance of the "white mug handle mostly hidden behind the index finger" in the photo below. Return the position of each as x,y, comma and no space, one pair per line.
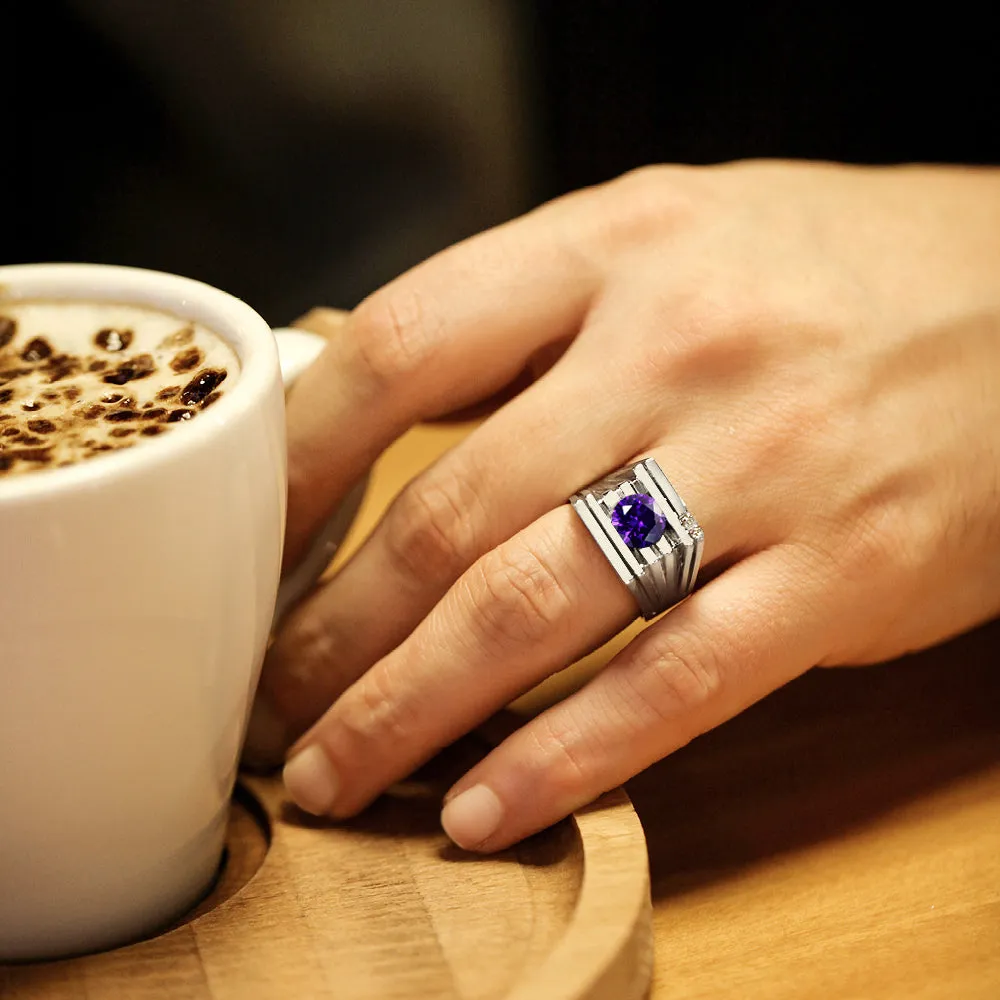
297,350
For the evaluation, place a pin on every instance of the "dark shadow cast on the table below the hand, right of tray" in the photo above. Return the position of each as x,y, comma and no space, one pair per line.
828,753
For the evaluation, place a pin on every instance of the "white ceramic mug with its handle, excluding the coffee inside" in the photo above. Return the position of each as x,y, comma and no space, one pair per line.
136,597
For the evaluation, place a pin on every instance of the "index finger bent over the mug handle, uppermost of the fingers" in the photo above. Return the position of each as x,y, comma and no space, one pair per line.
450,332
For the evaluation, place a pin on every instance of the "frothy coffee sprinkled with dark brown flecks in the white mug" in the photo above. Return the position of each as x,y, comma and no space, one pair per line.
83,379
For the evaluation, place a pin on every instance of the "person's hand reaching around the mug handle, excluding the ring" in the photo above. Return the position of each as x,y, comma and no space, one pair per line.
811,353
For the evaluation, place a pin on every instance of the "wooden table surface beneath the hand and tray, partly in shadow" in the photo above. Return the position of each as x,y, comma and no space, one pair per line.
839,840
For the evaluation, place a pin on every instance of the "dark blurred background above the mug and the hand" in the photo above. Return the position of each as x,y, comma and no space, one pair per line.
159,141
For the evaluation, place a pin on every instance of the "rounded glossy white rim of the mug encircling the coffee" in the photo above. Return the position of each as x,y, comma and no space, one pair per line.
227,316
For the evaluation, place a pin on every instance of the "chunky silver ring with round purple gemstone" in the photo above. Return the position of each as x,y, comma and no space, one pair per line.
646,532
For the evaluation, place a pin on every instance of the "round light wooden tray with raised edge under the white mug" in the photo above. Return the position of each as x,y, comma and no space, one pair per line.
384,907
